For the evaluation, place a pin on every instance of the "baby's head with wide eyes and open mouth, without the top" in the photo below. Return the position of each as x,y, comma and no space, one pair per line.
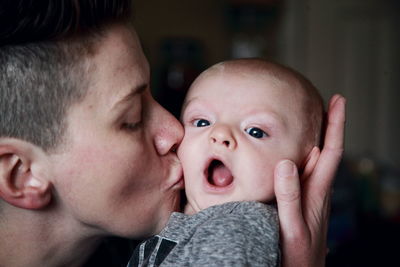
242,117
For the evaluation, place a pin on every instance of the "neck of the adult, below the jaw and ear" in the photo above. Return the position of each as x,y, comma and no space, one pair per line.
39,238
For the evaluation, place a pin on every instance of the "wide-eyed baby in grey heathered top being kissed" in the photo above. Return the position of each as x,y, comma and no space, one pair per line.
241,117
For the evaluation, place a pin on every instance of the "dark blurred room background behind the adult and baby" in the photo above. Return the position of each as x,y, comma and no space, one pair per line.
349,47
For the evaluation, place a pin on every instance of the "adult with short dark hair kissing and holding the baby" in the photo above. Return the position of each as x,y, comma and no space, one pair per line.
86,152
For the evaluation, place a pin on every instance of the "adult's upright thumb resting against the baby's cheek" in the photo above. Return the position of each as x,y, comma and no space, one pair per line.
288,196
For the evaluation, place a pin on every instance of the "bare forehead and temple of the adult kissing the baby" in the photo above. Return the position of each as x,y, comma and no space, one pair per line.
118,64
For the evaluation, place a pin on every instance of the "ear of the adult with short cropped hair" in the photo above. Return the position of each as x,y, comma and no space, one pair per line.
22,183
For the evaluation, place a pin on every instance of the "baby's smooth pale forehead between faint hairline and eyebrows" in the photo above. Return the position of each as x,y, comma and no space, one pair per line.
244,88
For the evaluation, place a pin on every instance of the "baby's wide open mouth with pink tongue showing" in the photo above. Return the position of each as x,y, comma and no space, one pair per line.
218,174
